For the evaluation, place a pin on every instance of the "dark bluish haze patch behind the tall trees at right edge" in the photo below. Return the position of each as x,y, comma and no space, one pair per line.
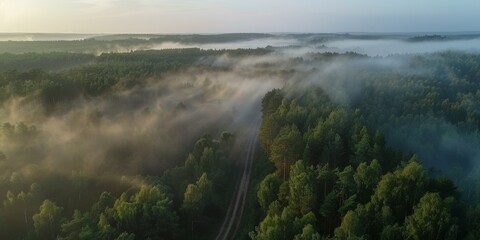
441,145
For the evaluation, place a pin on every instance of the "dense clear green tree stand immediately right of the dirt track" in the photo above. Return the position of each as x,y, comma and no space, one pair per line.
367,199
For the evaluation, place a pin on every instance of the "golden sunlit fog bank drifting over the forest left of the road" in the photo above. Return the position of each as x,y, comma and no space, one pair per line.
144,130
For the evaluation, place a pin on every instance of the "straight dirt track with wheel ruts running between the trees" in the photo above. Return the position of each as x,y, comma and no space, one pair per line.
232,221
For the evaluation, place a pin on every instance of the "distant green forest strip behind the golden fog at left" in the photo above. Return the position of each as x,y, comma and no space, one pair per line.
28,73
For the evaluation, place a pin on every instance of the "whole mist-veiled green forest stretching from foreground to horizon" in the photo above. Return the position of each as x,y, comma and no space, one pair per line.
102,143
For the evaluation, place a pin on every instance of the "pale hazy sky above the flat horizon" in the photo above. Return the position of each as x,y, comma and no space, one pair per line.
215,16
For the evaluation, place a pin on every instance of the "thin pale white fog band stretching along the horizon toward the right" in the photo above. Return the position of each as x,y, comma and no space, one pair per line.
296,46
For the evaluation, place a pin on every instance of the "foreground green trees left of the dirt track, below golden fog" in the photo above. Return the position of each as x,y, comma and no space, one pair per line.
139,208
